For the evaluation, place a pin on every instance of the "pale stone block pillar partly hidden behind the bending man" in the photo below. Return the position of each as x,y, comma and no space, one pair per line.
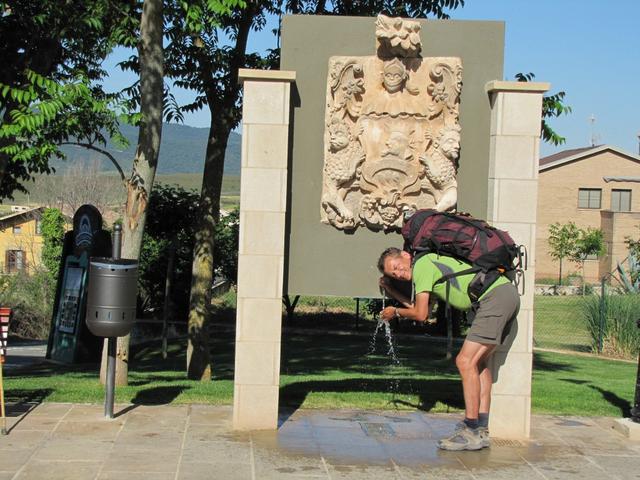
516,109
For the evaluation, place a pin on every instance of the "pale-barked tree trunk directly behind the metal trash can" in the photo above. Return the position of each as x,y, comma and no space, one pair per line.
143,172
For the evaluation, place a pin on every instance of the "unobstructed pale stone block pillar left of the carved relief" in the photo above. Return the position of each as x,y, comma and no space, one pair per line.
263,195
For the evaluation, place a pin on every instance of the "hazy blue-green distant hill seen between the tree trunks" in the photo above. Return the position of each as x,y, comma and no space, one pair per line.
181,151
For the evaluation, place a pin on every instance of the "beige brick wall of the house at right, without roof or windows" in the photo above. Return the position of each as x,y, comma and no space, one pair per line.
558,202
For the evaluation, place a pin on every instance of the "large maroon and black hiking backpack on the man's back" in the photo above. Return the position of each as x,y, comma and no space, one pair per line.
490,251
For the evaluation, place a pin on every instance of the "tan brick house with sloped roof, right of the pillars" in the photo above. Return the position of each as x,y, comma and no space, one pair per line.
596,187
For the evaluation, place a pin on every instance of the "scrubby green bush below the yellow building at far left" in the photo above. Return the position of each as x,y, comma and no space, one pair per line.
31,298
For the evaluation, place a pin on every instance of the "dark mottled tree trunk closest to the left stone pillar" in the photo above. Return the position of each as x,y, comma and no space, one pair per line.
223,119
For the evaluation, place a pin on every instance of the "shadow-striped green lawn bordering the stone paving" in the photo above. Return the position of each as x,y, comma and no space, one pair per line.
324,370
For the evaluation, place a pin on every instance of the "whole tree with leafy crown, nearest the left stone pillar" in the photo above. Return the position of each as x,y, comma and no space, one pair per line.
206,48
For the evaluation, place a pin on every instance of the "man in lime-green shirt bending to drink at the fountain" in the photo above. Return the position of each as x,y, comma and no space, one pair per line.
493,315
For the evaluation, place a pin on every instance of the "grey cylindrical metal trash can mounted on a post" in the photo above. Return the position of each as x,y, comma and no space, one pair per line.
111,300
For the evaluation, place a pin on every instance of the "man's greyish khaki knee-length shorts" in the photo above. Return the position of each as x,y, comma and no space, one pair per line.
493,315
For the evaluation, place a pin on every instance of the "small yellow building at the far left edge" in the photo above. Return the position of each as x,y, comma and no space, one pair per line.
21,240
